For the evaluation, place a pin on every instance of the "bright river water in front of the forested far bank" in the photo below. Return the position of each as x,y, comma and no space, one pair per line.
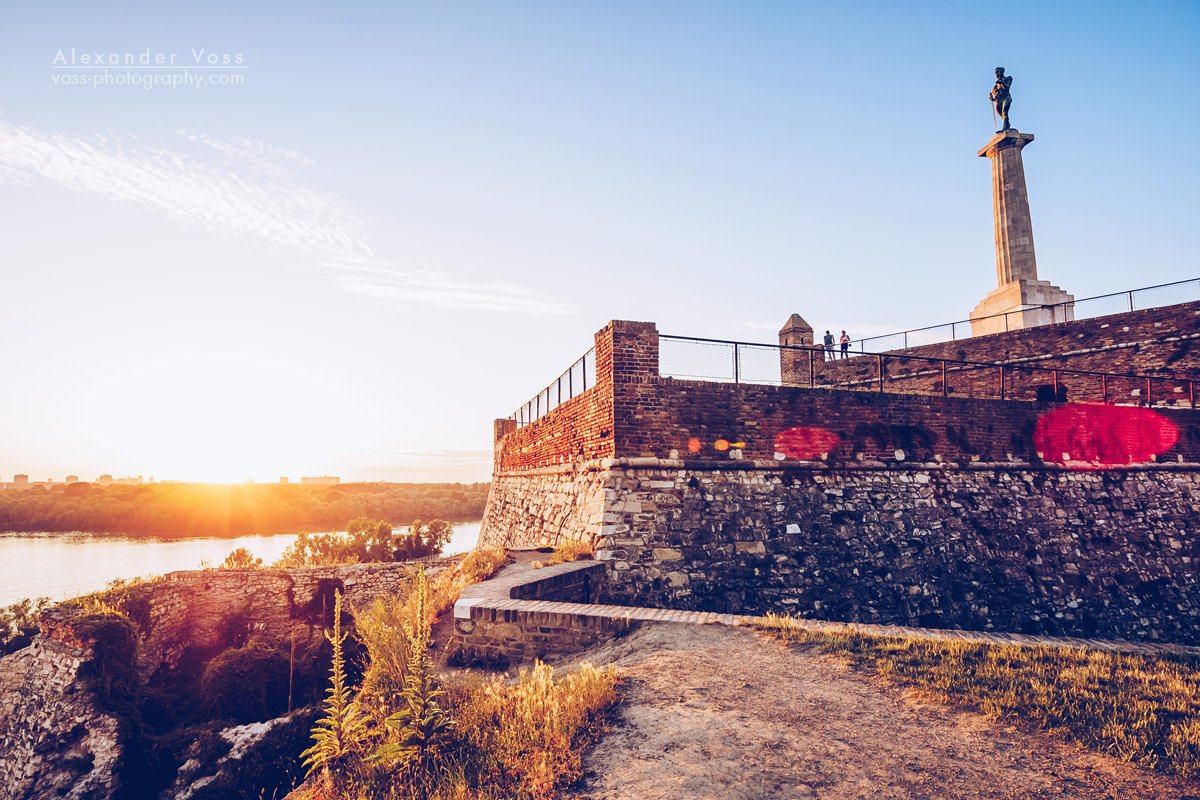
67,566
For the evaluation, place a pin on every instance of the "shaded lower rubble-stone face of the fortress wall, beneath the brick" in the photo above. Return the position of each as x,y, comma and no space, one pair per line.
986,548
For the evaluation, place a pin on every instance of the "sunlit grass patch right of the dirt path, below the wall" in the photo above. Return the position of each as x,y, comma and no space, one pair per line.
1141,709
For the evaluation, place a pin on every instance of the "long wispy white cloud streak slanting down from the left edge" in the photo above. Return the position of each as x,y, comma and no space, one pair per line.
253,194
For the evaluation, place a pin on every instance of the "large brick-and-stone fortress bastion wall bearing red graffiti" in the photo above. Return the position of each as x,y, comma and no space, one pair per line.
885,507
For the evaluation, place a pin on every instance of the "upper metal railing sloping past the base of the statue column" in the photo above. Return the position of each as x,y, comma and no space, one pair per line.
1165,294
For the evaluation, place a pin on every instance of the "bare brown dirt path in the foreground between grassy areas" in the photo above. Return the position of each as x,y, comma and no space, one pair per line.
713,712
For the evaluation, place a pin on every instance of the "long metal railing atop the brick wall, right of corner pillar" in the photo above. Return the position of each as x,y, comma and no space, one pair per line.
746,363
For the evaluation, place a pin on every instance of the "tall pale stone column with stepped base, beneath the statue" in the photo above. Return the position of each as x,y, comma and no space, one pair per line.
1021,299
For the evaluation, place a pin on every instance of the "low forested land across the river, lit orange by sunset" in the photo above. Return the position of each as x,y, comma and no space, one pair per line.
233,510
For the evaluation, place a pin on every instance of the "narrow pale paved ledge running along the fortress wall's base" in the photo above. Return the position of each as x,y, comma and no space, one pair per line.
521,579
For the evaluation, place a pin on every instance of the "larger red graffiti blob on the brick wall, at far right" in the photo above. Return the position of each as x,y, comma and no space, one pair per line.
1096,437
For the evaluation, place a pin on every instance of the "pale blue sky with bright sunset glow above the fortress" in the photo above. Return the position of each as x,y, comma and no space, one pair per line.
373,228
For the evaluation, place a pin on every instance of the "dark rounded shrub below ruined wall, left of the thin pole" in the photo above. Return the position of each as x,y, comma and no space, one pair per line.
247,684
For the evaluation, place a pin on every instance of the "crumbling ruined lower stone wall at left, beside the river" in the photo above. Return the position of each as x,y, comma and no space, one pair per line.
56,742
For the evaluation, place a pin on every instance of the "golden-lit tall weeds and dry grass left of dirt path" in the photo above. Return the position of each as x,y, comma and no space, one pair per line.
419,741
